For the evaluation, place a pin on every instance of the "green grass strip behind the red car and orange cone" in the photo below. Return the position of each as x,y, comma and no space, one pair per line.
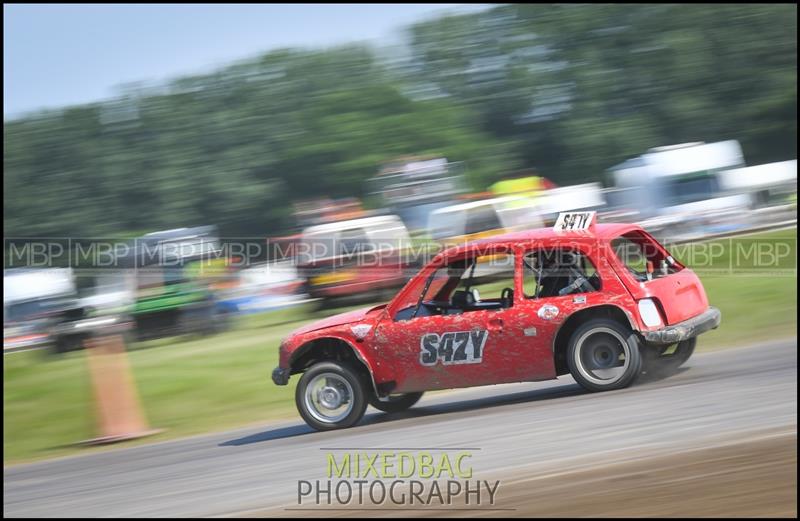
194,386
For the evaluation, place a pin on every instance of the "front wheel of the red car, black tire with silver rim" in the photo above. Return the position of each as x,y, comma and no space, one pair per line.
343,384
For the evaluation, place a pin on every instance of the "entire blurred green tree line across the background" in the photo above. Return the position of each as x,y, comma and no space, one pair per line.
569,90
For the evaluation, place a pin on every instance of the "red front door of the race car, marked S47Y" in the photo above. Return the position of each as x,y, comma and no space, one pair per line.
444,348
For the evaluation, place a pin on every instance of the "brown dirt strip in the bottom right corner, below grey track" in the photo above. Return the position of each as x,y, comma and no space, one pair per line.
753,478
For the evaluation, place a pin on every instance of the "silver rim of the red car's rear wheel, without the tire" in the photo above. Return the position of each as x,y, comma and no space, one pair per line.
602,356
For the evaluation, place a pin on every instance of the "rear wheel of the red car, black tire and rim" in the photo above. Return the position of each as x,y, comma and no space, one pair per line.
594,352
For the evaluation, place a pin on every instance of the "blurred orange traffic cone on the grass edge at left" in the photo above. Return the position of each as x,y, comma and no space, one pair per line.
119,413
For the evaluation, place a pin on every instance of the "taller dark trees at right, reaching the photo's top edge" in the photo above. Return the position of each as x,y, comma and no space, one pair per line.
584,87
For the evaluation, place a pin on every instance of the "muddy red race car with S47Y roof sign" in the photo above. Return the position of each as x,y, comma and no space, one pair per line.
603,302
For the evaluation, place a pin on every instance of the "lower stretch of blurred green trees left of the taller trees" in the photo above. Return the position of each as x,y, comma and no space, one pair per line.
232,148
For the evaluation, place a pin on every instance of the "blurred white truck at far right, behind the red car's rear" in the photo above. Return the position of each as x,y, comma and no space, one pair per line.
696,189
